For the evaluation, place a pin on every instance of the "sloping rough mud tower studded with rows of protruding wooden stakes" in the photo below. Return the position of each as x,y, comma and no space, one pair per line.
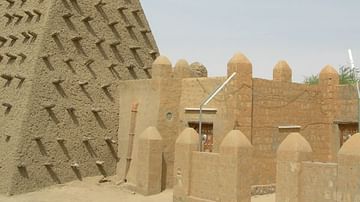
60,63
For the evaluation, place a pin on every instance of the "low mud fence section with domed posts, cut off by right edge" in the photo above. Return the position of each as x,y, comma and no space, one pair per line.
301,179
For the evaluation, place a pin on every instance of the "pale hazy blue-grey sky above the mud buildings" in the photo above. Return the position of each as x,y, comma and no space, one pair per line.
308,34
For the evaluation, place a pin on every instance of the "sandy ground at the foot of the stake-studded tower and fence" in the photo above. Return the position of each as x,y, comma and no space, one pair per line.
90,191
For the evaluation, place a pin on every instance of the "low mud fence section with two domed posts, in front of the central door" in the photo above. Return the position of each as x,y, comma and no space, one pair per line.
198,172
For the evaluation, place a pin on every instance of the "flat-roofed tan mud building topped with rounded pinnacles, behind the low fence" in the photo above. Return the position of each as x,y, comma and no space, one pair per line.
266,111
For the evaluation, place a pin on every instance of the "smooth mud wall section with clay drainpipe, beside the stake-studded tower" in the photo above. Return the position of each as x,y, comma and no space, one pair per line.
146,94
